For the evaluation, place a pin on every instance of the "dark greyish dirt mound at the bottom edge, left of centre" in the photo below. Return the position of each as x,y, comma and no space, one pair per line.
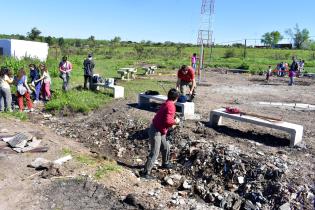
80,194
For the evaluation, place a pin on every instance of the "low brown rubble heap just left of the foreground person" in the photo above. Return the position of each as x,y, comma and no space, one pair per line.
115,133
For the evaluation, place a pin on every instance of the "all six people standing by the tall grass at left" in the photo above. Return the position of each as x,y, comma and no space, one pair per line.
35,86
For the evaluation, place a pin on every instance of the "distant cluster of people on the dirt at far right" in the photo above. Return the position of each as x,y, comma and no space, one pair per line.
294,70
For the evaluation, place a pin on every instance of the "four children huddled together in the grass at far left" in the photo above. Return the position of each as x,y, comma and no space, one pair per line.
39,86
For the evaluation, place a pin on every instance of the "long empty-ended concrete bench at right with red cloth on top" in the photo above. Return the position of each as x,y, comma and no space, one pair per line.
295,131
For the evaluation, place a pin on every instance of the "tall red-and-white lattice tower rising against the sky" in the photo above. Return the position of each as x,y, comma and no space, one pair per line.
205,32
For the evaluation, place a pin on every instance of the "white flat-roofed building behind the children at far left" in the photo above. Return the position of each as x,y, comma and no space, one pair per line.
21,48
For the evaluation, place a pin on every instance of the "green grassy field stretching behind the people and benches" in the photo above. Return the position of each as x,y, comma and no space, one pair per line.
169,59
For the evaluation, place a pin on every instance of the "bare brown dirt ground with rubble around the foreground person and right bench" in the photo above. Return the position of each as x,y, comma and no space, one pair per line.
119,132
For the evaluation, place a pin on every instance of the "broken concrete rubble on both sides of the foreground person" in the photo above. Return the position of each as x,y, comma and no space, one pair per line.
221,175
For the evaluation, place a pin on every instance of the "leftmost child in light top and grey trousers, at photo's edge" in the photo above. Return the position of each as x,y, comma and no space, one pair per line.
5,90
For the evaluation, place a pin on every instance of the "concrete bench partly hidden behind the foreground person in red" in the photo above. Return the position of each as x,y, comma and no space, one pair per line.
187,109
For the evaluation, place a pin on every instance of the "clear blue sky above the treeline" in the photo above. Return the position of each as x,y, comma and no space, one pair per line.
154,20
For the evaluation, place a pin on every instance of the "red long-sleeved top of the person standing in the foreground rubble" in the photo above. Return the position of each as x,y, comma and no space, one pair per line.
164,118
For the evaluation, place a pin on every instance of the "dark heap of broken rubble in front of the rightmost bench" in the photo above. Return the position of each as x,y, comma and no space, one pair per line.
228,178
